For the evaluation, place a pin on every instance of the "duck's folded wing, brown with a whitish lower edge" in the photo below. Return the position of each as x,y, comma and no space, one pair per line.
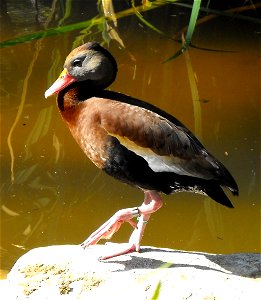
165,146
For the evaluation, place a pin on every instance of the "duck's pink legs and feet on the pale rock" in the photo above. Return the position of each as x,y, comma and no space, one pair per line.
152,202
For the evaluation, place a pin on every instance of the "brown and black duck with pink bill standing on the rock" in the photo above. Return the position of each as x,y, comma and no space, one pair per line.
132,141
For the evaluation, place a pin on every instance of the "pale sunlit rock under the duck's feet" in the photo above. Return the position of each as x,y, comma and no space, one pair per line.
69,272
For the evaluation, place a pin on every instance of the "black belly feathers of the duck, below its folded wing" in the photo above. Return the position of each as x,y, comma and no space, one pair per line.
130,168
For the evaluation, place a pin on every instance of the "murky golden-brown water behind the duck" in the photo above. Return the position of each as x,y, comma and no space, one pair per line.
51,193
